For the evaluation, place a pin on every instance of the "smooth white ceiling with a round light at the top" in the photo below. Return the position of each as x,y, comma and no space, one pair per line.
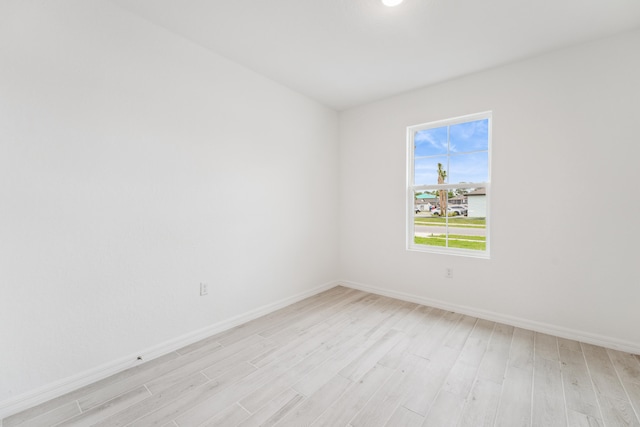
348,52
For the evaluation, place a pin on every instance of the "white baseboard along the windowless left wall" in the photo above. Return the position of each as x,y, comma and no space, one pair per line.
51,391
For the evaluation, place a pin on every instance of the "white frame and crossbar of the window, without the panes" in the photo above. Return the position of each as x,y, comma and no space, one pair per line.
412,188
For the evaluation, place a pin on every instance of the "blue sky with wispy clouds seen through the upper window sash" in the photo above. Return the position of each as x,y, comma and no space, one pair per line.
467,145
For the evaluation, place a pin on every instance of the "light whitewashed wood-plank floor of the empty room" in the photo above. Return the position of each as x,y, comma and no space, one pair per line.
350,358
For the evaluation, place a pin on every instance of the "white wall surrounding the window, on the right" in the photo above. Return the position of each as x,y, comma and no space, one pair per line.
565,129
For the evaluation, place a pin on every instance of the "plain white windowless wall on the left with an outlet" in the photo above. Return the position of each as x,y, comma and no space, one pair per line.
133,166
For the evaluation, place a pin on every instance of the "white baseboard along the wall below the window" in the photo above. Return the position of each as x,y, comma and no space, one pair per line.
559,331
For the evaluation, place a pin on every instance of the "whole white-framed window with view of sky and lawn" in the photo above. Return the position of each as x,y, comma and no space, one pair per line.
448,176
